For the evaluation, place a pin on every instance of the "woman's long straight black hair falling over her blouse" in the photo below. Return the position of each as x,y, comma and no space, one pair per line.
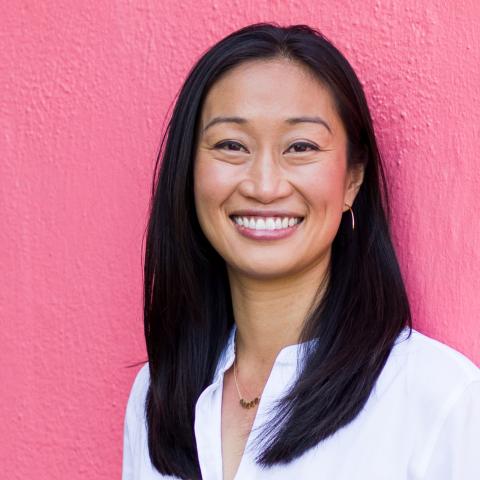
187,301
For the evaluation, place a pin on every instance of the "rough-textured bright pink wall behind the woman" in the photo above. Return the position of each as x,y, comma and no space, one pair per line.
85,88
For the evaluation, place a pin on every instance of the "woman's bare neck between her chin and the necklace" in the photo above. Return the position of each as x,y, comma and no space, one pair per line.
270,314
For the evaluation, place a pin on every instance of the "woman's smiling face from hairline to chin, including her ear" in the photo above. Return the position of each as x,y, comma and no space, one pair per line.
270,175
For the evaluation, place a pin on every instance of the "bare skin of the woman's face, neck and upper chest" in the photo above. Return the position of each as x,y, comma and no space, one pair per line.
266,164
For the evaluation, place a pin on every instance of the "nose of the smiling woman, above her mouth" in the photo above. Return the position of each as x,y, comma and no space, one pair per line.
265,180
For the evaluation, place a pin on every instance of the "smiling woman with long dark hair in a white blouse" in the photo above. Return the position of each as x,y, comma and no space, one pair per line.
277,325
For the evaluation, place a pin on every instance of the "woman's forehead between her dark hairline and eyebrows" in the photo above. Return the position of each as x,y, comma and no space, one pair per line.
270,89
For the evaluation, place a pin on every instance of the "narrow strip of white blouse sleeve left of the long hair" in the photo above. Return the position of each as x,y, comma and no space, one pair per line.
131,423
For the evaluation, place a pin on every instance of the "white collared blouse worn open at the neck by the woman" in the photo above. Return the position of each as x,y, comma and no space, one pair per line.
421,422
